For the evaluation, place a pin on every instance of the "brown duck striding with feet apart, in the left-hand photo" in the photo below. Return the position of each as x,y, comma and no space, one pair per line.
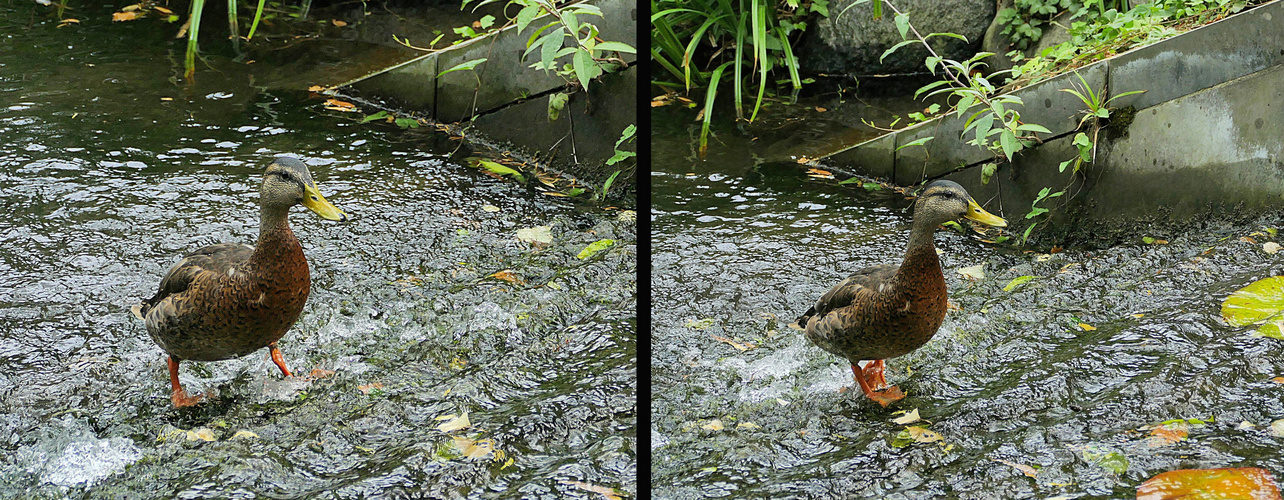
230,300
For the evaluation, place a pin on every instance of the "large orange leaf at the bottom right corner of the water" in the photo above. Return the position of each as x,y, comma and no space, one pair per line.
1210,484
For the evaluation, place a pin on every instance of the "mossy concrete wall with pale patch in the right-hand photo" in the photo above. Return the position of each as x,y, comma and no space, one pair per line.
1205,136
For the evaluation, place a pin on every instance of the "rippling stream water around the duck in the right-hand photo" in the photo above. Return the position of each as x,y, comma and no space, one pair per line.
1046,390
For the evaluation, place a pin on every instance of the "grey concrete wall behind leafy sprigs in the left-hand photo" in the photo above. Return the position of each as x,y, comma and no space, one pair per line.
507,101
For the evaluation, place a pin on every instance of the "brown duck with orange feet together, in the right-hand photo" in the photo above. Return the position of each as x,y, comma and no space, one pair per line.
887,312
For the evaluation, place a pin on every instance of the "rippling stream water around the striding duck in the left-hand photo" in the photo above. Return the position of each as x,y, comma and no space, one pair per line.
114,169
